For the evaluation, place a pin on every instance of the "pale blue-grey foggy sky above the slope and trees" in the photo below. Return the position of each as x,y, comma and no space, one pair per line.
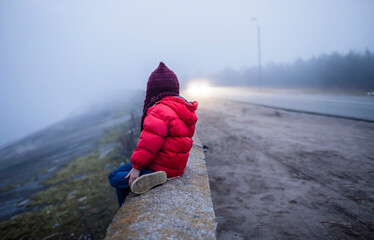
58,57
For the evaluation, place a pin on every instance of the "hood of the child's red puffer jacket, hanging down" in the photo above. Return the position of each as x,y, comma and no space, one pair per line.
184,109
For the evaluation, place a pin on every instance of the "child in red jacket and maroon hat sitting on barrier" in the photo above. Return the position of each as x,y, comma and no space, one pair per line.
167,127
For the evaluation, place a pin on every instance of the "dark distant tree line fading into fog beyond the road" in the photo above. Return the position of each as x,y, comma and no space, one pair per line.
353,71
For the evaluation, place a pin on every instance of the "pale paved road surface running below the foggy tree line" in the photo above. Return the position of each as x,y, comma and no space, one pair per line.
356,107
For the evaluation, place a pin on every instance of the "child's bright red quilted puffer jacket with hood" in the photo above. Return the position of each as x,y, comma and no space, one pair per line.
166,138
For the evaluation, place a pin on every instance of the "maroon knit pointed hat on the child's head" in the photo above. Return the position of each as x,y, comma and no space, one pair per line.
162,82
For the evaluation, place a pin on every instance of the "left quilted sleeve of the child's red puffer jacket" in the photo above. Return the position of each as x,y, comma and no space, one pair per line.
152,137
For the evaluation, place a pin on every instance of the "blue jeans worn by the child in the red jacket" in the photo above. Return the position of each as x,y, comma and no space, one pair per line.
117,180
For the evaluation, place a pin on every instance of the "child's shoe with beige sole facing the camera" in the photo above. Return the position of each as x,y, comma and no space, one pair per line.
145,182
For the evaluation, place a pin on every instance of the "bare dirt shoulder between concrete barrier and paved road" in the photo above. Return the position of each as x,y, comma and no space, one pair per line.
284,175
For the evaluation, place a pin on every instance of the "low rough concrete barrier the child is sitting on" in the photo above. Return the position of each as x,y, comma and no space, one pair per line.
179,209
